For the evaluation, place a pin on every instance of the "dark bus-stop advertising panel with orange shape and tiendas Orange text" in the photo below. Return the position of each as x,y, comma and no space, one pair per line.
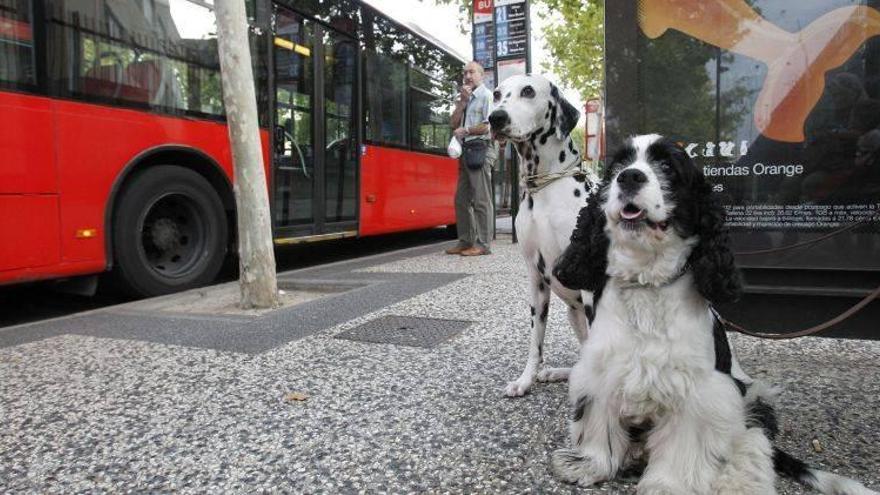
777,101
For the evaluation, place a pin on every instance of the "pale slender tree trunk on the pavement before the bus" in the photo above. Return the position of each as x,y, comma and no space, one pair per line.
257,281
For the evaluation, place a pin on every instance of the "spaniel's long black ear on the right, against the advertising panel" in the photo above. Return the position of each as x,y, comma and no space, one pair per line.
712,261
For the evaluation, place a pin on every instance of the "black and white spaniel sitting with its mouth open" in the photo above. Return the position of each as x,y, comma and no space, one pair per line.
653,384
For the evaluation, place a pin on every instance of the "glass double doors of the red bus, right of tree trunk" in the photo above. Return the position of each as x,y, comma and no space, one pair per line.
314,140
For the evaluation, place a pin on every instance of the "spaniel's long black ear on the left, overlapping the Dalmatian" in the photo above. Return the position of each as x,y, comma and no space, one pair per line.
583,263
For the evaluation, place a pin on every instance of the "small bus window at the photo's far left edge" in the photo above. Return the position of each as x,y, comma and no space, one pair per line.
16,44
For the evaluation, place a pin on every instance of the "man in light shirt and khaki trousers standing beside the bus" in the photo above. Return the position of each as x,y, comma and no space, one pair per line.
473,197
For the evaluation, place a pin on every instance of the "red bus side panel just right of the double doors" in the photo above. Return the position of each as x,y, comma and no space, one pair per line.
405,190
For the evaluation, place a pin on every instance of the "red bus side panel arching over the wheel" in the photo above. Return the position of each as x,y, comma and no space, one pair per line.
95,143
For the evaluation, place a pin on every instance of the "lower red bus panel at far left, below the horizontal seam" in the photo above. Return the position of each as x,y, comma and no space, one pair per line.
28,231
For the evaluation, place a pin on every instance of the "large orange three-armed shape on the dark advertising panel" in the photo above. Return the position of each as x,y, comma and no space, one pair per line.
797,62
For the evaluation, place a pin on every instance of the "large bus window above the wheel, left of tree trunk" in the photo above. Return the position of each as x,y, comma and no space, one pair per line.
158,54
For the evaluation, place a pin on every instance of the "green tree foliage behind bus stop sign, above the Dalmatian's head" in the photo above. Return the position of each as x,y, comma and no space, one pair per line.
575,35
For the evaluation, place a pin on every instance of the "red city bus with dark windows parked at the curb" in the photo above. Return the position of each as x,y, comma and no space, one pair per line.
115,155
